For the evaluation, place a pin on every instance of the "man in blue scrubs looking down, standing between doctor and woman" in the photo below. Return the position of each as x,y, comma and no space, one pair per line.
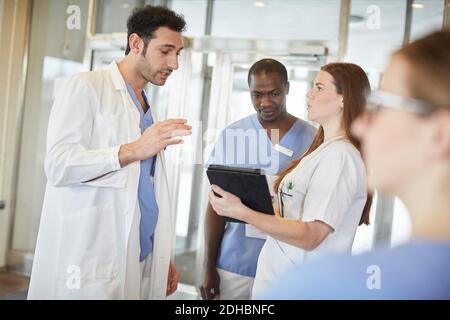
269,140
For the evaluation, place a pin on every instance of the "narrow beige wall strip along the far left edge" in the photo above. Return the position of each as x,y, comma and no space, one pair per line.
12,53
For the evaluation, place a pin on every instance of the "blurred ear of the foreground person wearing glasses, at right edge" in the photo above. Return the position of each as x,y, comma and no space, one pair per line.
440,134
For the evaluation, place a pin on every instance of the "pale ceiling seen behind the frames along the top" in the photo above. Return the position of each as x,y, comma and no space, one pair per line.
298,19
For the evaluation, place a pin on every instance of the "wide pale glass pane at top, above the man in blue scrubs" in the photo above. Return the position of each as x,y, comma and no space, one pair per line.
272,19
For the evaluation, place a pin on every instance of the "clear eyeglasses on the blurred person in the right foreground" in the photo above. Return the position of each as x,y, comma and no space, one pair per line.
381,99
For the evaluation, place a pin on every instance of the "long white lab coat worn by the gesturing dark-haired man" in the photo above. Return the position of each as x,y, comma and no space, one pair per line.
88,242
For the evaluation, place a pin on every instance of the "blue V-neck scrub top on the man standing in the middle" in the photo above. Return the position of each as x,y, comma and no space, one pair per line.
239,253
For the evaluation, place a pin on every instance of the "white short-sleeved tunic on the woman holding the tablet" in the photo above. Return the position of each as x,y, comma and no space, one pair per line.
328,185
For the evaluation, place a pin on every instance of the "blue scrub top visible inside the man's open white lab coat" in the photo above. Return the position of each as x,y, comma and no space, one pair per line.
146,191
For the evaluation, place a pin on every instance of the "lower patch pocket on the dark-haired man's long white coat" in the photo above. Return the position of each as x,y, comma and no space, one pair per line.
88,245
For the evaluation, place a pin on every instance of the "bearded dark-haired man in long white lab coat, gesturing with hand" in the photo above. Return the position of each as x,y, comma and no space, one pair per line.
105,230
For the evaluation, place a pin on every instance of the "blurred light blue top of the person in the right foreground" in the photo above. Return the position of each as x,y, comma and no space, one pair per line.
418,270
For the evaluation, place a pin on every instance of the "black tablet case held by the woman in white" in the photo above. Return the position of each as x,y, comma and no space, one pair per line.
250,185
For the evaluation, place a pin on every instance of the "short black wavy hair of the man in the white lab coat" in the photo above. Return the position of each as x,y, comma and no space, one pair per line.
144,21
